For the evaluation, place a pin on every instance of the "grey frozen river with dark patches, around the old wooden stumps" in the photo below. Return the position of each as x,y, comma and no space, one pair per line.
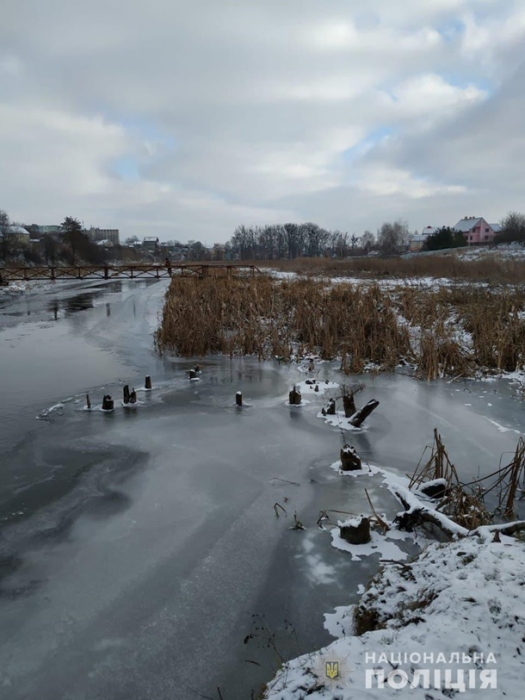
137,547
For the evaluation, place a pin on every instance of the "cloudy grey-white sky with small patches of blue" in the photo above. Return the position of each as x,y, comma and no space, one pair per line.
186,119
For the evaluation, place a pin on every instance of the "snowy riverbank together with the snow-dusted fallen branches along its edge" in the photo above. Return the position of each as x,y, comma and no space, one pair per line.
451,619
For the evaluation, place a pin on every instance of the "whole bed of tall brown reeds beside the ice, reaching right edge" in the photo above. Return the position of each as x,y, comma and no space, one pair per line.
453,330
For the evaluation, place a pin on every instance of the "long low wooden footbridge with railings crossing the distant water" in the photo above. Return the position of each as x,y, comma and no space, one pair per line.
139,271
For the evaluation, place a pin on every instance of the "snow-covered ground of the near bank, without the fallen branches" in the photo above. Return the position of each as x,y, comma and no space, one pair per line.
452,621
